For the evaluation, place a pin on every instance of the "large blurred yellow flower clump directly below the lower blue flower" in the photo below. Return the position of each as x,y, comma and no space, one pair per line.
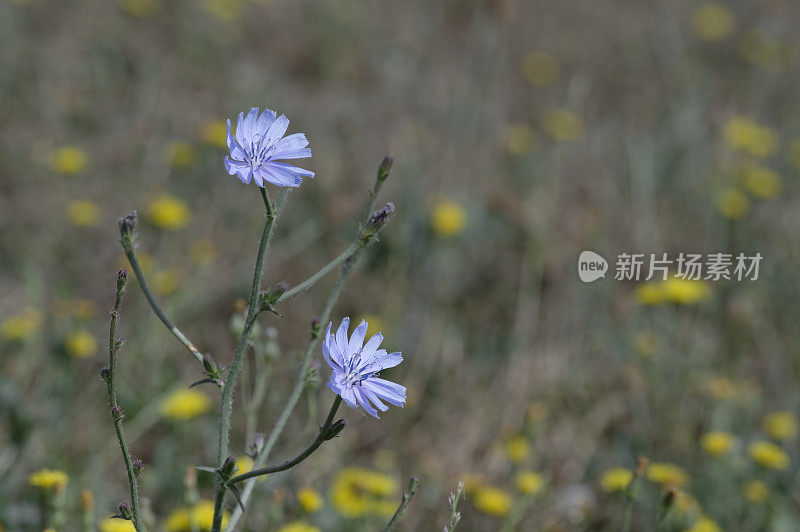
357,491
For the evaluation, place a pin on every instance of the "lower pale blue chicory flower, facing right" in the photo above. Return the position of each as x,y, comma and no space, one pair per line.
356,366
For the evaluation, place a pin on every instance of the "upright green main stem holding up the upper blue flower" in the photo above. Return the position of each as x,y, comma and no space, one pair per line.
226,401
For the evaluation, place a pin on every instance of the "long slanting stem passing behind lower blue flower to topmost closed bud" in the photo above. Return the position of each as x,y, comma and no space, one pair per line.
347,267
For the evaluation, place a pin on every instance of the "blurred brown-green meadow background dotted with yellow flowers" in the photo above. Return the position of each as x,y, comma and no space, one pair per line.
524,133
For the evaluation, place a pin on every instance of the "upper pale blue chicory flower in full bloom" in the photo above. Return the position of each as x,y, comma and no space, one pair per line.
258,146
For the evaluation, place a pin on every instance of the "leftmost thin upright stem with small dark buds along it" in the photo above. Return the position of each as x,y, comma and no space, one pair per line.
116,414
